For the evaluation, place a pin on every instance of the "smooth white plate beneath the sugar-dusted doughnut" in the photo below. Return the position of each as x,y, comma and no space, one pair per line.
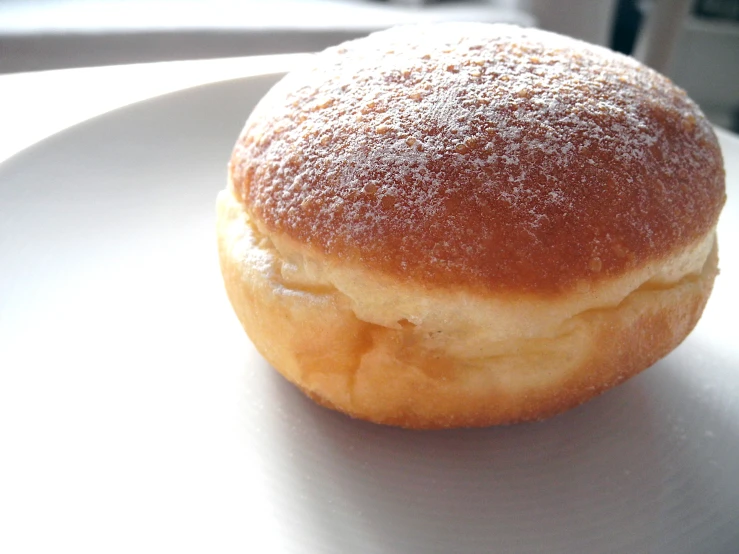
135,416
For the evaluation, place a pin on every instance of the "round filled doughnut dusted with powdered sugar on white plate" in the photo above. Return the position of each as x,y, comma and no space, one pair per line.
466,224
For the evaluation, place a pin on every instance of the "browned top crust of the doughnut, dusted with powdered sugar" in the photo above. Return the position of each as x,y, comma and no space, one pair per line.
492,157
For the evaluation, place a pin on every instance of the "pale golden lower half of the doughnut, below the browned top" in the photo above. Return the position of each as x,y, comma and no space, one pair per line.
431,375
